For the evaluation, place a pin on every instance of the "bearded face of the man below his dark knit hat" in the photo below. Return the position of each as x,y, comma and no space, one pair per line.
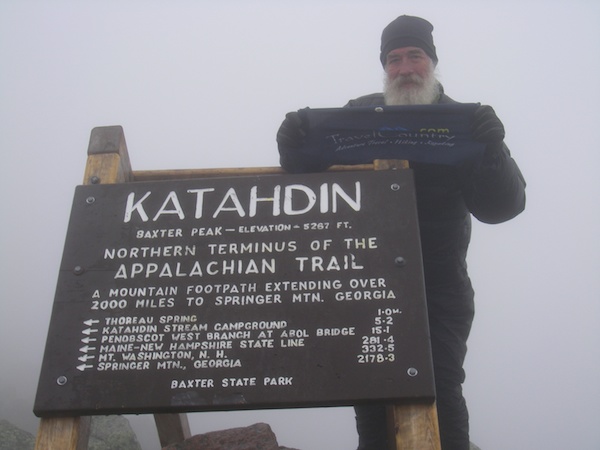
409,77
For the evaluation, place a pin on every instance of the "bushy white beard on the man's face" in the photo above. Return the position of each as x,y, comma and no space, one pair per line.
425,92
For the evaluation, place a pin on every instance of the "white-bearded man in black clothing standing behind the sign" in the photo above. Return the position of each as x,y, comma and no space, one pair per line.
492,189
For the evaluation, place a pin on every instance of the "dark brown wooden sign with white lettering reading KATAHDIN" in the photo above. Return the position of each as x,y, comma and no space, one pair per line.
239,293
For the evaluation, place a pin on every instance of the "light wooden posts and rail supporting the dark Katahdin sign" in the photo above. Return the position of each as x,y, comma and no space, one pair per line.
410,424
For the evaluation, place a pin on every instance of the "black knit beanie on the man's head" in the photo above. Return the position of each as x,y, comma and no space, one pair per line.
407,31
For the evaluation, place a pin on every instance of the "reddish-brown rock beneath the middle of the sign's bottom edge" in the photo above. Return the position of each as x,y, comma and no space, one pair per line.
255,437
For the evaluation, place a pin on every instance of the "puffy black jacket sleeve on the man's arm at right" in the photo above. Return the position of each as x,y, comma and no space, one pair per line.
494,190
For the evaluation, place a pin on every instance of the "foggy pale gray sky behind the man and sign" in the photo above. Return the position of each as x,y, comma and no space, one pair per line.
206,84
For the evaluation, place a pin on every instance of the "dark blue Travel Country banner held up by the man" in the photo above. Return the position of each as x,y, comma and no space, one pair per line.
437,134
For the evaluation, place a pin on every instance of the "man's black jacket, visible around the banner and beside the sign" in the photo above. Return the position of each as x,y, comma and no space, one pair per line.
493,190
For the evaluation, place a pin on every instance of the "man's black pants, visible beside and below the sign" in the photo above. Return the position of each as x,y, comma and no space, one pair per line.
450,319
